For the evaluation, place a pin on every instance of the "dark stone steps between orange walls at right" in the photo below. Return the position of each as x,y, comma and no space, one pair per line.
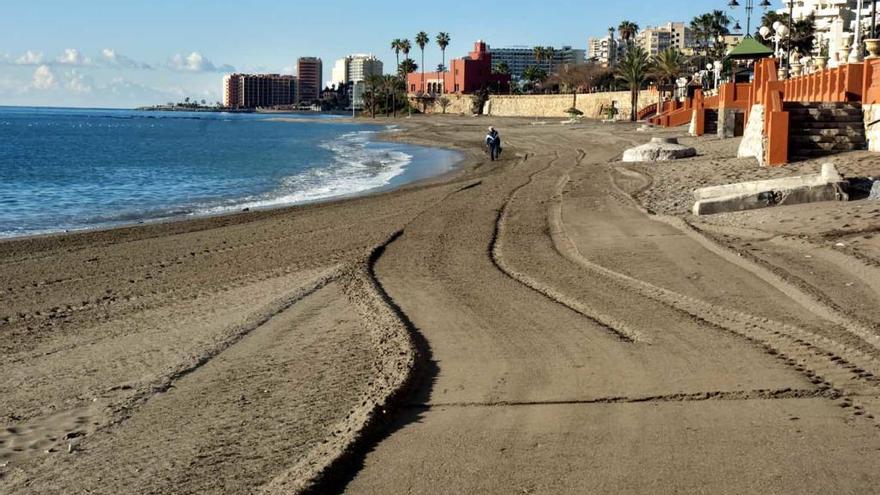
822,129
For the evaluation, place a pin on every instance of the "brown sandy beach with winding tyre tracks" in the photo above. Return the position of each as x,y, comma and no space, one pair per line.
554,322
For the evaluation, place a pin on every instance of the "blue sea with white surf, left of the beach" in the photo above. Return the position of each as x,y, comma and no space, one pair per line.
72,169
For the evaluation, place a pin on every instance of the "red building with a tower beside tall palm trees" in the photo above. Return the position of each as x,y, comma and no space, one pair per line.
465,75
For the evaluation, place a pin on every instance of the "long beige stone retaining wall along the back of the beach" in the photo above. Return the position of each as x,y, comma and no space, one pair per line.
548,106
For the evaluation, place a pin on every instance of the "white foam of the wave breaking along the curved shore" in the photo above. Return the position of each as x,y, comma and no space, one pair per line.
356,167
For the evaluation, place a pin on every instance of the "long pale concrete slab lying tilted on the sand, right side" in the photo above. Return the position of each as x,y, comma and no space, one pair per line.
828,185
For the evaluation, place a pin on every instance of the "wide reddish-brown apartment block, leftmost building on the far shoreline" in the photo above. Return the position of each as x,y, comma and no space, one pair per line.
258,90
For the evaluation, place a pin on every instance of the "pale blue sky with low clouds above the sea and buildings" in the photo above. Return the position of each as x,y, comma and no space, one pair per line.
123,53
